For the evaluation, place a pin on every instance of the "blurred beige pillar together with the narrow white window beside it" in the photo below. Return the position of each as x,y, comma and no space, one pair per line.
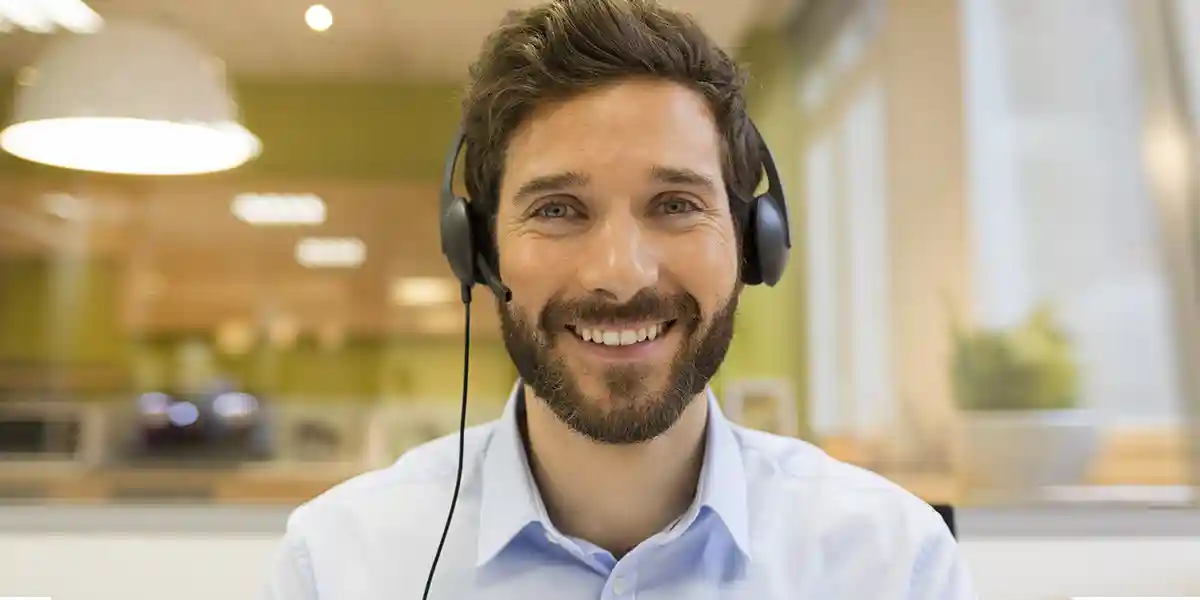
884,164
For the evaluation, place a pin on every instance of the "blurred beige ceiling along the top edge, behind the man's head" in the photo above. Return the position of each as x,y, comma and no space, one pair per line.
370,39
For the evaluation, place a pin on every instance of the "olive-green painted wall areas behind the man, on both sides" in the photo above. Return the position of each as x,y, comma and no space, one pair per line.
395,133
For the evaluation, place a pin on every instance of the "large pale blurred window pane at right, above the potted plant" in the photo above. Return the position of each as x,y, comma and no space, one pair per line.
1060,206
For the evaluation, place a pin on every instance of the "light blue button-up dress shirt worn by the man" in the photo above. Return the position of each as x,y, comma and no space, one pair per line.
775,519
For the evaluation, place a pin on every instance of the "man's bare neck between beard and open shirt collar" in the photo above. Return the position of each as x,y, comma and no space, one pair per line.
615,496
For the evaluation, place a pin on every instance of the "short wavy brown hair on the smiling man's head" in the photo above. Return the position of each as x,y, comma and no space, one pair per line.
567,47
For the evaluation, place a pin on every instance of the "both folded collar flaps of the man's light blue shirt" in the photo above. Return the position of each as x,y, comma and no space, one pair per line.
511,500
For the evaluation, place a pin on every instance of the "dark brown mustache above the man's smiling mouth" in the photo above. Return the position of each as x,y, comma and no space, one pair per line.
646,305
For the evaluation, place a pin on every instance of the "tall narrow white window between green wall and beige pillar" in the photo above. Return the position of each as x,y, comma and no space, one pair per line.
847,235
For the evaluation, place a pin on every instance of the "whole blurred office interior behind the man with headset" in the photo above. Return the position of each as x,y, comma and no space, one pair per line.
993,298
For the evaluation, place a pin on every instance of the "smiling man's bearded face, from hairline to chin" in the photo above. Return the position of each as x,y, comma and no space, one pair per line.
616,237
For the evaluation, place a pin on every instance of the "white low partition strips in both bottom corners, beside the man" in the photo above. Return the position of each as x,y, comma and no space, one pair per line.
227,567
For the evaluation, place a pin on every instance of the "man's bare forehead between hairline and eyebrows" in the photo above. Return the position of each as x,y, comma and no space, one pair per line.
626,129
